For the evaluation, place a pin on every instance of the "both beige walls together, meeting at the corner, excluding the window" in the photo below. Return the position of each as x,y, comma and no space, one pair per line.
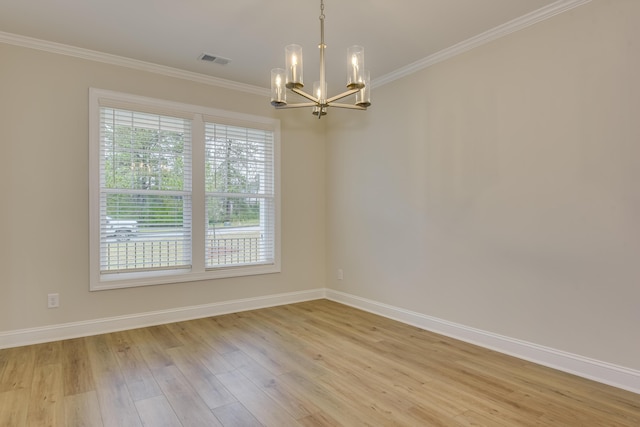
497,190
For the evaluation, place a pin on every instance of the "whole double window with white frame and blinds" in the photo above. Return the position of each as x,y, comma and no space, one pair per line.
179,192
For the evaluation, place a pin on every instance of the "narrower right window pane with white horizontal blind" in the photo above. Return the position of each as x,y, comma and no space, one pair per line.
240,197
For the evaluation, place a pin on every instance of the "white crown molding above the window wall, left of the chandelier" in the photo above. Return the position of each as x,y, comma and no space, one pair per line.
92,55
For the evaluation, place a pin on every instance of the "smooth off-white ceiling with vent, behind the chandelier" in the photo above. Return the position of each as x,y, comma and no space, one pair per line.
253,33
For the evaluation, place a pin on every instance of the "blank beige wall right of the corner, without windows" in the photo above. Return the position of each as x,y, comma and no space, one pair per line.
500,189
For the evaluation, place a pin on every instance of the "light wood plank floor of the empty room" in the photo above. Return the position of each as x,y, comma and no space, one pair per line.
317,363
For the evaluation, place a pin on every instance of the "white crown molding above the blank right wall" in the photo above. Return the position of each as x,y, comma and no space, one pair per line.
514,25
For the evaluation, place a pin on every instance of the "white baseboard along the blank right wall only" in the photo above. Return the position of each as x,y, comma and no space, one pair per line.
617,376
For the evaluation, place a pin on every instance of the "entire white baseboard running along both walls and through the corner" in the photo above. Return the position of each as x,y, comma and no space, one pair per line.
617,376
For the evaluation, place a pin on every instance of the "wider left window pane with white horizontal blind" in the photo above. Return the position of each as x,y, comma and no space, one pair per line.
145,197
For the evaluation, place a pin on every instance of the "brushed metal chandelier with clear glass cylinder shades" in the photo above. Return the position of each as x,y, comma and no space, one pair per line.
291,78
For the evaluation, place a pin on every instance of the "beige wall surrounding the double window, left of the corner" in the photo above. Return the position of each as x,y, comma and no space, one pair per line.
44,192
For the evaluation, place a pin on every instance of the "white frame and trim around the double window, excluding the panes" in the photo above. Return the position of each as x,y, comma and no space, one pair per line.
197,114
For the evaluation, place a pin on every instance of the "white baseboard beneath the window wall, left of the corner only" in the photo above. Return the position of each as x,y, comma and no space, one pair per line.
63,331
